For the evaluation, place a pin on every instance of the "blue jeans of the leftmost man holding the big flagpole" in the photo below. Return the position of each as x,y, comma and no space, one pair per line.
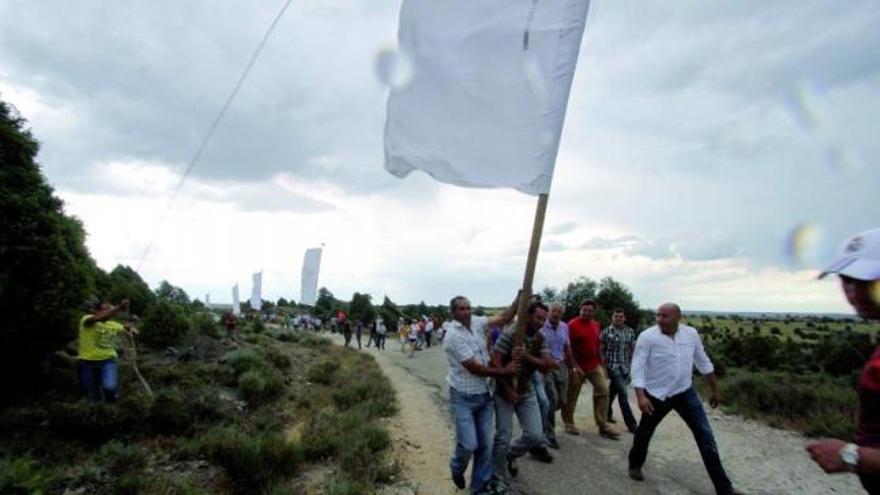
472,415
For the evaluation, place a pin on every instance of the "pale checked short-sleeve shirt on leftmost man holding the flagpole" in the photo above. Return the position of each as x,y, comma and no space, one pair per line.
462,344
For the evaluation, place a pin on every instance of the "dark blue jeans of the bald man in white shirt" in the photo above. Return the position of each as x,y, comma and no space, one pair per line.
688,405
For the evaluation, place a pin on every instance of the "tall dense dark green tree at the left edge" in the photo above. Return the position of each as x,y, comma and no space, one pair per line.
46,272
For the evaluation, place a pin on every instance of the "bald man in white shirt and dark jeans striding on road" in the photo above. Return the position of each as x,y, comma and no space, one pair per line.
662,367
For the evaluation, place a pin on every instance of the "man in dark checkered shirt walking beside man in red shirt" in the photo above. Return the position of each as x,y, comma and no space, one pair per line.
616,344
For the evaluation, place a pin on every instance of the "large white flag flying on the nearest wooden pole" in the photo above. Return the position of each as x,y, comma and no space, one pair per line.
487,98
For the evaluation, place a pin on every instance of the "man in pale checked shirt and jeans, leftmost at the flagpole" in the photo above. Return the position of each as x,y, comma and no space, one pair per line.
470,397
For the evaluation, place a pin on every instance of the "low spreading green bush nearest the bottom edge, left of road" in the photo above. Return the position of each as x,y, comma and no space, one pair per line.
250,459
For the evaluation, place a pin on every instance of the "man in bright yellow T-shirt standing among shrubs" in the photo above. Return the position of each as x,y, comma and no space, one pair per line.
98,370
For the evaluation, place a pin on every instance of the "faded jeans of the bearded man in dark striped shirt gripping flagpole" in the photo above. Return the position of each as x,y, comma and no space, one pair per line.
529,416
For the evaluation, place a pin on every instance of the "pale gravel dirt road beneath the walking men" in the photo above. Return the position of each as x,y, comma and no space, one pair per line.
759,459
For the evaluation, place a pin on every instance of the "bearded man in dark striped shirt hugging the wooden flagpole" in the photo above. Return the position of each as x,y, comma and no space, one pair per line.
521,400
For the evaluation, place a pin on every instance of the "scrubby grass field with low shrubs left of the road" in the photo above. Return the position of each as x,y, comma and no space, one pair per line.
275,413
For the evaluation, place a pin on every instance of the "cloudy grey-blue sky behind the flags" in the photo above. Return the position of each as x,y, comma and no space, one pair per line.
714,153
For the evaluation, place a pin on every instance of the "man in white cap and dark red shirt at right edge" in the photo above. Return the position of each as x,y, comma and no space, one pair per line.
858,267
